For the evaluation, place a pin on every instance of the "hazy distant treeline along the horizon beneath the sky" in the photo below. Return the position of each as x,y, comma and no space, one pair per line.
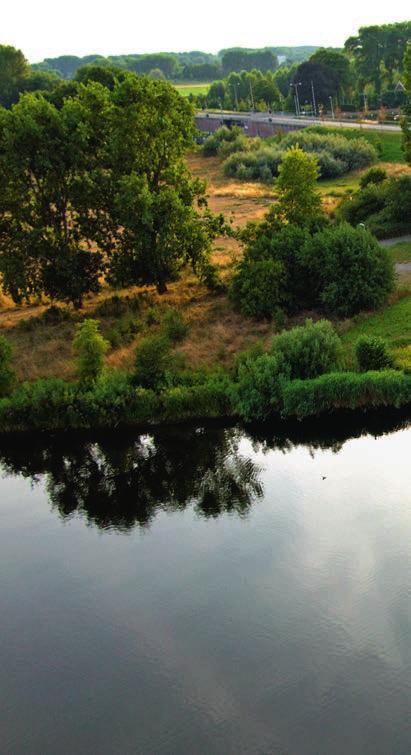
183,66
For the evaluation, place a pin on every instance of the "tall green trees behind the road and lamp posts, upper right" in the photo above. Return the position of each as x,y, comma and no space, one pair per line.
367,74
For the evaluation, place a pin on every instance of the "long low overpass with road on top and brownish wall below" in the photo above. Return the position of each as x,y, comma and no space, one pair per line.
269,124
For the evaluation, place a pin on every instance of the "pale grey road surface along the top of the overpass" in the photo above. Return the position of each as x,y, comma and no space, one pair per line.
292,120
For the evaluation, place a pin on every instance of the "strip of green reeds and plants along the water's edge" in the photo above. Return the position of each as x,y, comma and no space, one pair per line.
113,401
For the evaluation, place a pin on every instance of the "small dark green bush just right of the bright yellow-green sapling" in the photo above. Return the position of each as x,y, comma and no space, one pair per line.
152,360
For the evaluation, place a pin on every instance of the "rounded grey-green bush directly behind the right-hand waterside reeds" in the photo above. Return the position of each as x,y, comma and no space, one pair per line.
308,350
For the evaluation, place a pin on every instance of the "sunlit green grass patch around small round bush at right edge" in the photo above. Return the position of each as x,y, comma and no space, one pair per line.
393,324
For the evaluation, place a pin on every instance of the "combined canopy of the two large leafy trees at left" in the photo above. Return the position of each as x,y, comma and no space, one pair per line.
96,184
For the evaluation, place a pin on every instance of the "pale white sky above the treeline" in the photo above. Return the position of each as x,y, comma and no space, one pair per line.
47,28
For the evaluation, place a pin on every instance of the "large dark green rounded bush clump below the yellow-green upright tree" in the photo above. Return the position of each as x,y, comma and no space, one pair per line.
340,270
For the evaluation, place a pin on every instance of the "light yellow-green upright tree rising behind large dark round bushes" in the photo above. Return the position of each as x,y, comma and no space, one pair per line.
298,201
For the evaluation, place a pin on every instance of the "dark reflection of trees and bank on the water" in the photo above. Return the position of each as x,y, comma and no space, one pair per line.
122,479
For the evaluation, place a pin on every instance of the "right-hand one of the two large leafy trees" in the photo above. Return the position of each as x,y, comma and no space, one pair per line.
159,219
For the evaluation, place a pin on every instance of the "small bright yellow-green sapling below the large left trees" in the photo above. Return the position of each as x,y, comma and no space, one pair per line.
90,347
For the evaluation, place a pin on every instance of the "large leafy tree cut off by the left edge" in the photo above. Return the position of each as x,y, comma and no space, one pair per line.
48,157
